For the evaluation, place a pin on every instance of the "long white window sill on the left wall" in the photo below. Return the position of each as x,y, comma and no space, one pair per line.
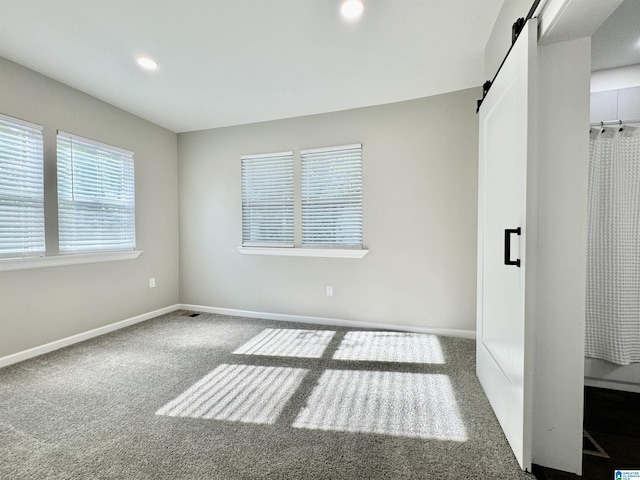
27,263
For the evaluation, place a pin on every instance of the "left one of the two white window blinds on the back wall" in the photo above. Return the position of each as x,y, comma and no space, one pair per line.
267,200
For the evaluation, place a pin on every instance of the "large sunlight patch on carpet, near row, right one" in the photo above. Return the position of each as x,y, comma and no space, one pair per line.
391,403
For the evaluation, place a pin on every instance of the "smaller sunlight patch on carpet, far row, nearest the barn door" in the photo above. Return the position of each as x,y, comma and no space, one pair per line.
390,347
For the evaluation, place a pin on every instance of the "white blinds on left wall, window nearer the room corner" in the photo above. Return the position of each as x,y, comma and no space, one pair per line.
96,196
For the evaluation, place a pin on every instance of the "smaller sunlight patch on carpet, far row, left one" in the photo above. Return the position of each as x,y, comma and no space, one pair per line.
282,342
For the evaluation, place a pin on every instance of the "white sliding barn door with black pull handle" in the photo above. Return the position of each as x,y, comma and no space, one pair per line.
507,124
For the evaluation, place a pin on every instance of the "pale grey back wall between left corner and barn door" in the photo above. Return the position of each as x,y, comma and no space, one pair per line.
420,189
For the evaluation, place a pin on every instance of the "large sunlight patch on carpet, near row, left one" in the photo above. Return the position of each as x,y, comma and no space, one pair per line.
242,393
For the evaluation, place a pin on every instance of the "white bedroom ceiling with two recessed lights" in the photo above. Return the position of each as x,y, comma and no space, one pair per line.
230,62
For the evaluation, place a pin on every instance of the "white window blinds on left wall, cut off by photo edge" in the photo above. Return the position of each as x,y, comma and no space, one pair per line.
21,189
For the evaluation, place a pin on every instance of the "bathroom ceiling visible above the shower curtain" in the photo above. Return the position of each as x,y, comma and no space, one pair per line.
617,42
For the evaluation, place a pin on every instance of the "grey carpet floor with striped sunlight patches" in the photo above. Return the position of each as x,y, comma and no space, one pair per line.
219,397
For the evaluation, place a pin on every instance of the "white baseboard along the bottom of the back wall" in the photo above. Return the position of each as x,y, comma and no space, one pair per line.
447,332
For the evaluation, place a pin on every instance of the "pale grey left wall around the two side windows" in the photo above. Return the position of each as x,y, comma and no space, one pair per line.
45,305
